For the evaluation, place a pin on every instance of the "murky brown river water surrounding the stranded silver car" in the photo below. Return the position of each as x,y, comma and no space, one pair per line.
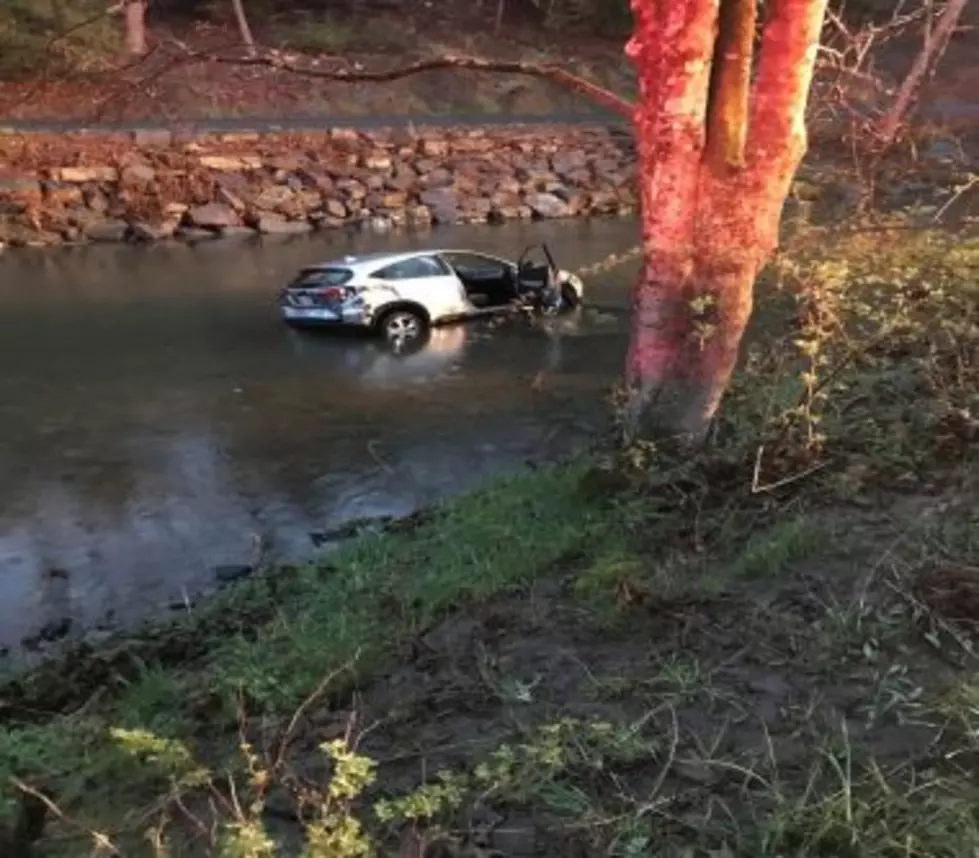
157,420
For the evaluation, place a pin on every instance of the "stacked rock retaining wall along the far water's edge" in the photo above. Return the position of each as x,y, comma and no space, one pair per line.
153,186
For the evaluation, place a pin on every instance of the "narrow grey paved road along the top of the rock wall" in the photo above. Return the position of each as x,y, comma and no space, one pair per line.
312,123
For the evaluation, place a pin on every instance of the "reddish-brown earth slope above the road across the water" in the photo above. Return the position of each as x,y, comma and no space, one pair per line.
164,85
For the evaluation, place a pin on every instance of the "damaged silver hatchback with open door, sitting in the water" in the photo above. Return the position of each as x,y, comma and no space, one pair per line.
402,295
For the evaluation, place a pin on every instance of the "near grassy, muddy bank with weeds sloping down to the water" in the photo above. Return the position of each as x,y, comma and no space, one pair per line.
764,651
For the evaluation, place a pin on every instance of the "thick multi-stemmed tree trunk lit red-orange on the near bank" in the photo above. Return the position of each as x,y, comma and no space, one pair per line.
717,154
